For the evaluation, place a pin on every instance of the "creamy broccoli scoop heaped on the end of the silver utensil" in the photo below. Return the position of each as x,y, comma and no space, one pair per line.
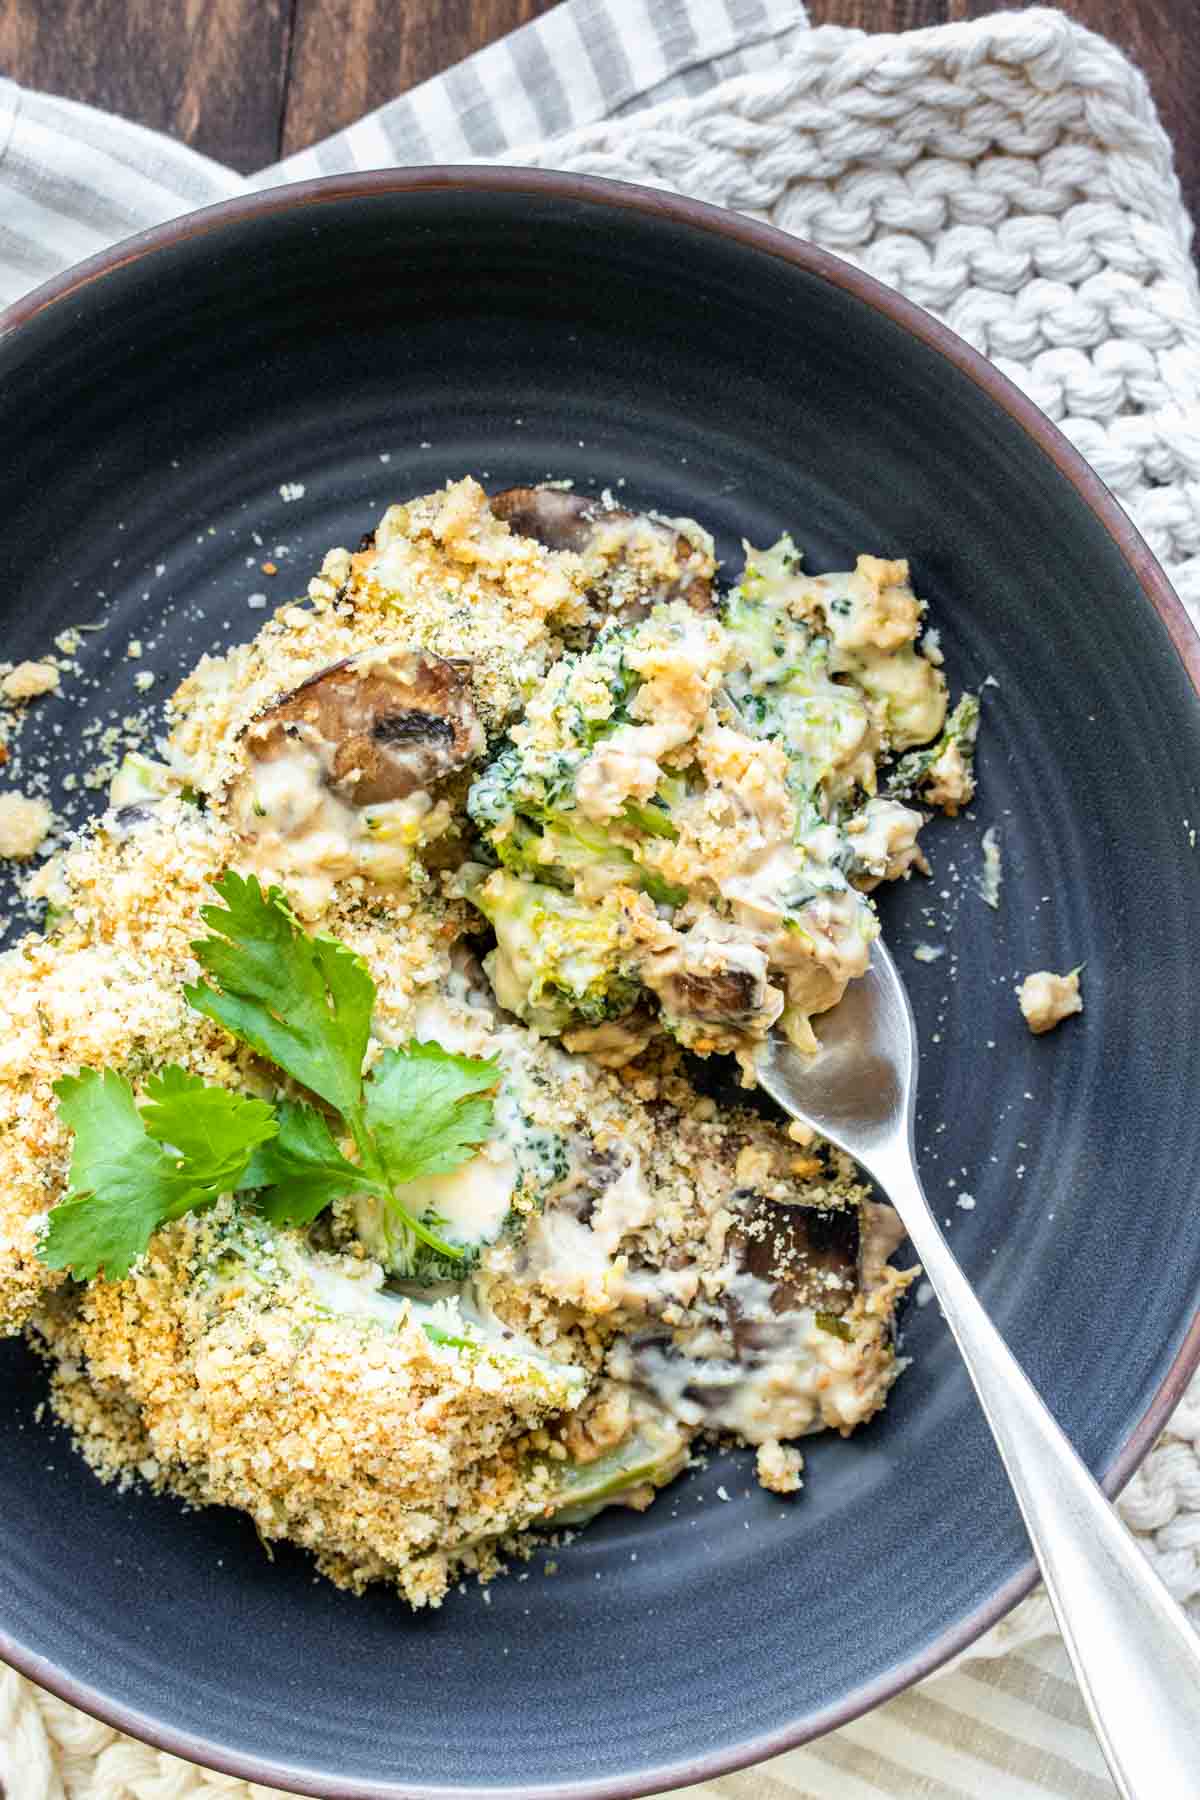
631,786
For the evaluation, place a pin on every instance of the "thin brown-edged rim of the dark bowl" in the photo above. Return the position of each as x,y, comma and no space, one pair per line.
764,240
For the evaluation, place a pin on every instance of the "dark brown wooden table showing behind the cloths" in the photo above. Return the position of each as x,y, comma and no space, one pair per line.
253,80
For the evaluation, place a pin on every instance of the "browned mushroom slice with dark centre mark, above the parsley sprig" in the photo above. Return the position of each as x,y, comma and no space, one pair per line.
384,724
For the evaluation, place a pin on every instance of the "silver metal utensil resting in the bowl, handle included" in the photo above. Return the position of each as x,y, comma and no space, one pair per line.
1134,1653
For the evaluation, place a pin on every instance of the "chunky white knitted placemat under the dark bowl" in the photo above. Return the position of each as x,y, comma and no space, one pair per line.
1012,177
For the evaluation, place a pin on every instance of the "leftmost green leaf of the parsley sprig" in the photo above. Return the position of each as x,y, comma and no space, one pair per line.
123,1182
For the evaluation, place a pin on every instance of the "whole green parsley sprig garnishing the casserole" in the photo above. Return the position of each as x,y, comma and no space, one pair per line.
303,1003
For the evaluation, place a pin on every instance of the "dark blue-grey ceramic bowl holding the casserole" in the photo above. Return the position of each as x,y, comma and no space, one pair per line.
523,327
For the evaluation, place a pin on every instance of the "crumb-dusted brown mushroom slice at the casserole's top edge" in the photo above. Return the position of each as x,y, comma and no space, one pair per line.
634,561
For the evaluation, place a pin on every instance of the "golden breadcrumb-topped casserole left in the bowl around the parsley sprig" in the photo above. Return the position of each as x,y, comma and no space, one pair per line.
667,1272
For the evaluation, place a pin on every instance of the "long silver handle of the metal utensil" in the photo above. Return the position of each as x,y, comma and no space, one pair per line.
1134,1653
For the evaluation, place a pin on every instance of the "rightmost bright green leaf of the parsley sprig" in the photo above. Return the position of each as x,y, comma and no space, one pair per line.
429,1110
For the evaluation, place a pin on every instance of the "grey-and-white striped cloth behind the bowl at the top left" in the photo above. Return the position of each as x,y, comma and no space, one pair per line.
75,179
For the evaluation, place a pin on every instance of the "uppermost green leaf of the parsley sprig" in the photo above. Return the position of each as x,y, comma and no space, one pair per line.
298,1000
